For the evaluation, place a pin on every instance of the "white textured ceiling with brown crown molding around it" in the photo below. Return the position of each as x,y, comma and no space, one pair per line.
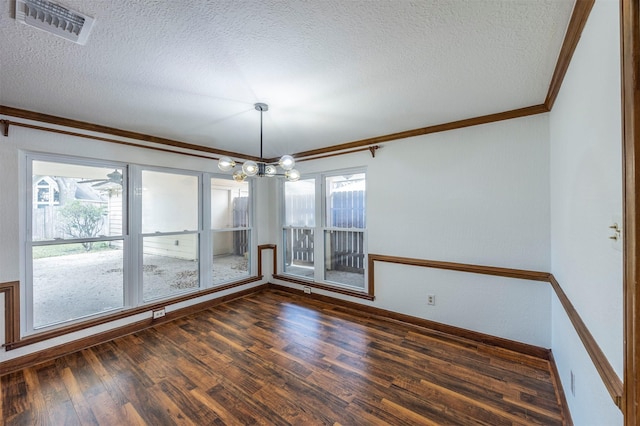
332,71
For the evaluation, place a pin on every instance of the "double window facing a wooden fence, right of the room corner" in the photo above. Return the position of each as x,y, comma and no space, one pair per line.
338,256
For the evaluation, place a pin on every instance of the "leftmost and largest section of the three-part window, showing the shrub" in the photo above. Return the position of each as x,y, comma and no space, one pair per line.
75,241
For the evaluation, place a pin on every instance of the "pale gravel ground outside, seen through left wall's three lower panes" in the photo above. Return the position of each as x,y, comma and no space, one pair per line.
73,286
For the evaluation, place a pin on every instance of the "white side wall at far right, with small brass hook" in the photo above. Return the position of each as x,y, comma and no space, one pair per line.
586,198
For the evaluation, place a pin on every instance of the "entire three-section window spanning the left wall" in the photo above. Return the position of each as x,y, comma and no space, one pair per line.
91,250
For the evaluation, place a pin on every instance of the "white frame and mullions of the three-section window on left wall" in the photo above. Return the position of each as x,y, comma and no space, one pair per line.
131,238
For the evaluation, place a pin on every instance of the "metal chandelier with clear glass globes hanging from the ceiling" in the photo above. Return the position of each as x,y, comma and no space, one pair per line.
261,168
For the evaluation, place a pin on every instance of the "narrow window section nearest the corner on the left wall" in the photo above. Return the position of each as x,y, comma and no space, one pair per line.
230,230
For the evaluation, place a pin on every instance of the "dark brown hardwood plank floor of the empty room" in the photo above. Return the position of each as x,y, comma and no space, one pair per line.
277,358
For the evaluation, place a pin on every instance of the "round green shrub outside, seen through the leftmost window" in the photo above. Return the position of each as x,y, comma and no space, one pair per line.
82,220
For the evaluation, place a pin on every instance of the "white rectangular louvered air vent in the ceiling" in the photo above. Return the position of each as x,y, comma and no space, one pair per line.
55,19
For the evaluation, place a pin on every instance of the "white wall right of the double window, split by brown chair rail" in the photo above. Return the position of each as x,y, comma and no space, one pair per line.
477,195
